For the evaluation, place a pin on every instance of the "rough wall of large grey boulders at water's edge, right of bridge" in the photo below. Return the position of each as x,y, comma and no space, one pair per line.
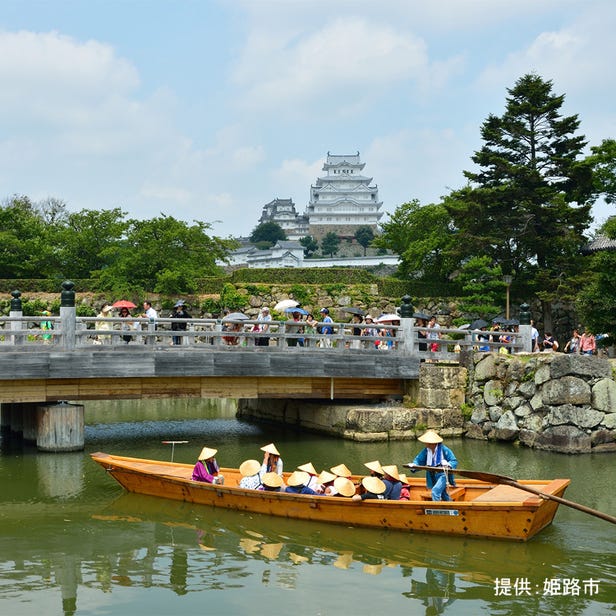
555,402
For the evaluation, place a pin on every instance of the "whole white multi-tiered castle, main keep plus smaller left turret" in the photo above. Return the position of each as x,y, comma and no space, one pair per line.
341,200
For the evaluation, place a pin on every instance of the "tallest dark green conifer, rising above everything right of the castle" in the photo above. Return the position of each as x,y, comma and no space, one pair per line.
528,206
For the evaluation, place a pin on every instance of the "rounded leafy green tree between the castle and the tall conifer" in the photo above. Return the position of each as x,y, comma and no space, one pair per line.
423,238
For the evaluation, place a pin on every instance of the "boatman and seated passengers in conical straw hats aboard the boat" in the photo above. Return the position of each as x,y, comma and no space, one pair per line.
383,482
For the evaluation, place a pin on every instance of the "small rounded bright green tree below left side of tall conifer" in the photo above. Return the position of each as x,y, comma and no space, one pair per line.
483,286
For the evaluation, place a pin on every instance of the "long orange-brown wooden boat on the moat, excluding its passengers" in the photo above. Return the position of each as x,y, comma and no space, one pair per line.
478,509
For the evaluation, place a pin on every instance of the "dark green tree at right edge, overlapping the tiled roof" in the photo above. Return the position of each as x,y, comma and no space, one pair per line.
596,302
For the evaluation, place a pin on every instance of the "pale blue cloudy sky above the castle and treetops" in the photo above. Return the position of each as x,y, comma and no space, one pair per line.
208,109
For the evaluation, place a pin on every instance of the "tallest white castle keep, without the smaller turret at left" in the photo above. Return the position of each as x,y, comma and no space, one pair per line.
343,199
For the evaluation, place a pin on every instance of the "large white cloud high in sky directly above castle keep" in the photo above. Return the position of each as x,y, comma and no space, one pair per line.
349,55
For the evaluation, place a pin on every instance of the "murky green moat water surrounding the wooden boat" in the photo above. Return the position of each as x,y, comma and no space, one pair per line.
72,542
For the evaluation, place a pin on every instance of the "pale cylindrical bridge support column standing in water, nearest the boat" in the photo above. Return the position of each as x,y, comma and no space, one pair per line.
60,427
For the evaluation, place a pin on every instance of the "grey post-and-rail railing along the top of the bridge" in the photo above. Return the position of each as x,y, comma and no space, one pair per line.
69,331
